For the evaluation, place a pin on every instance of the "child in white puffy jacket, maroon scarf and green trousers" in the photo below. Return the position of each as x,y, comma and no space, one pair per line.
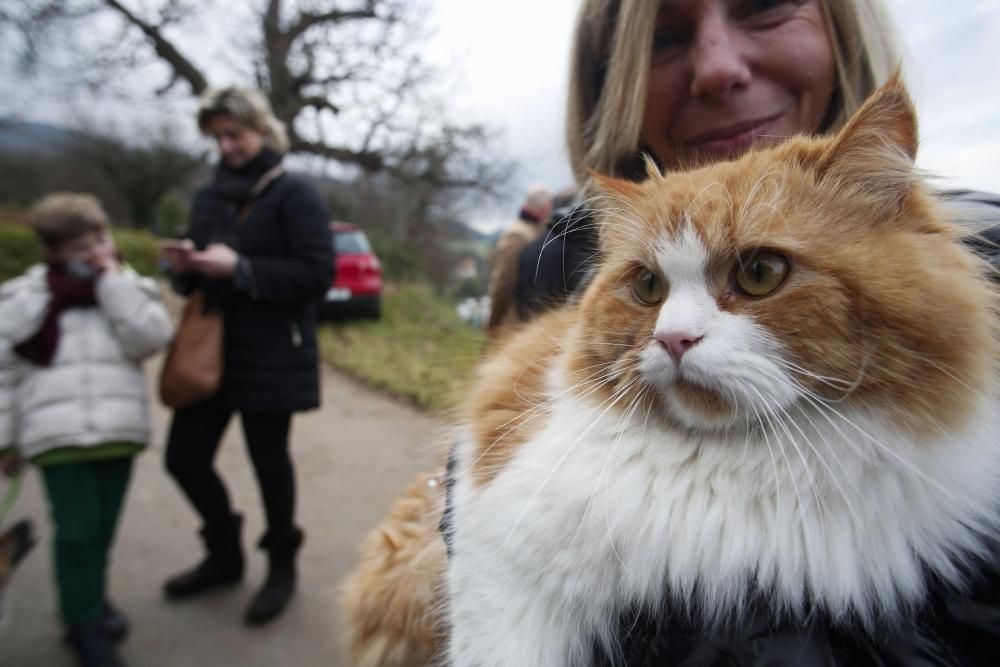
73,334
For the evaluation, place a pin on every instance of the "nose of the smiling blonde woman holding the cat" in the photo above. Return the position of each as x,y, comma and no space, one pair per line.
718,63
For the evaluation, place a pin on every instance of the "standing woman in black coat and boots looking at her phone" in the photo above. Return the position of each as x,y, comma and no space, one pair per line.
260,250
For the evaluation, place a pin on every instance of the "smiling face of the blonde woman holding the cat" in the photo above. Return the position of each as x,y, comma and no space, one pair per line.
726,74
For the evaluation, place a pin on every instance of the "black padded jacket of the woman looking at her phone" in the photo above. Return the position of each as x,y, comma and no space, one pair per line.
271,359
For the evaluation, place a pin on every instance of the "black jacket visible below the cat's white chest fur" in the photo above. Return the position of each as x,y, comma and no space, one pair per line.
951,630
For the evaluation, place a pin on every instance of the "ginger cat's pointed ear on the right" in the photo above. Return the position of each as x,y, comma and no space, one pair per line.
874,153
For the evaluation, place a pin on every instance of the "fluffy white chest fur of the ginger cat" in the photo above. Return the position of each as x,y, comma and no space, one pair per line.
600,511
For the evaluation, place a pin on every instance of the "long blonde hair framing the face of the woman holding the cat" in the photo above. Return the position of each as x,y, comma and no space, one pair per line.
610,68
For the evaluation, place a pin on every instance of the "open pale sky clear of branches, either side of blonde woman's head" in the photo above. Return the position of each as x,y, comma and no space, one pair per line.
515,53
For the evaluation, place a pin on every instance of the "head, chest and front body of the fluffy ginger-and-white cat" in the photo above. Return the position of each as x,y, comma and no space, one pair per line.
779,388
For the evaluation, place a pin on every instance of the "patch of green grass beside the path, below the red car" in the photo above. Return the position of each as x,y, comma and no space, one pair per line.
420,350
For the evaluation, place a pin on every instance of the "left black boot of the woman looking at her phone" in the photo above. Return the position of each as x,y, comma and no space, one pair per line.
222,566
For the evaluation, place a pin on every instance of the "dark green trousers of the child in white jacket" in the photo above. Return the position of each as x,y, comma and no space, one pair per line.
85,501
